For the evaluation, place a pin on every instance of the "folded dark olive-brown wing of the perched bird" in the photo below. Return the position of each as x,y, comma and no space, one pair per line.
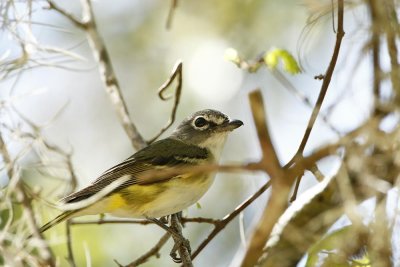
162,154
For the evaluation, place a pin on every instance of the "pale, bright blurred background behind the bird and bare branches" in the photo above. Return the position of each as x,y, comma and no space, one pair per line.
64,94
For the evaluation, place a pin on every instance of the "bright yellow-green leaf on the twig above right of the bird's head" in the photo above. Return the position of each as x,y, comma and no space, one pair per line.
272,58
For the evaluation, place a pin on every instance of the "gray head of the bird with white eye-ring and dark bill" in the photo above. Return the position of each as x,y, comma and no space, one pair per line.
206,128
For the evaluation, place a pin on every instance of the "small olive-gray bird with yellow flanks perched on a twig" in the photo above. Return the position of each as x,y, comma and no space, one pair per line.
199,139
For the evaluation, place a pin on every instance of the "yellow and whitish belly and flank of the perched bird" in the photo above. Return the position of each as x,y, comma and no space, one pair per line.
155,200
